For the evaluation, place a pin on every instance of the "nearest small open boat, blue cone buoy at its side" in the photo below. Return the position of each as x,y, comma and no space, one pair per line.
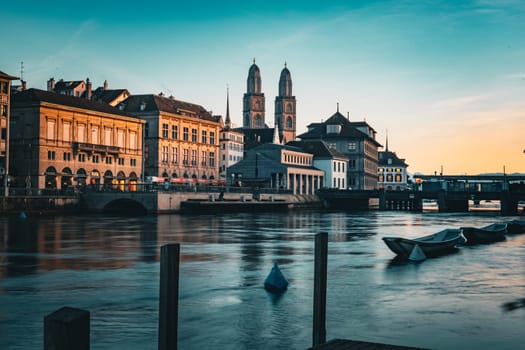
431,245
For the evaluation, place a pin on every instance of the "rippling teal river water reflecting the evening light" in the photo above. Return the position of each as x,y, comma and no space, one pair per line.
110,266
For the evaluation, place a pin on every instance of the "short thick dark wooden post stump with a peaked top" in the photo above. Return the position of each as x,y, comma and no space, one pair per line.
67,329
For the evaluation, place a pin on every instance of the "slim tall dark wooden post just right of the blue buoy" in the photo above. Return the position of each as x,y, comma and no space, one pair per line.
321,258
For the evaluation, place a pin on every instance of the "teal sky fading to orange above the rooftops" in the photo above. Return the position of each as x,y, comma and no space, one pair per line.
444,79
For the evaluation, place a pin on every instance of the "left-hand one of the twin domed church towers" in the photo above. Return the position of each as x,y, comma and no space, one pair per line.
253,102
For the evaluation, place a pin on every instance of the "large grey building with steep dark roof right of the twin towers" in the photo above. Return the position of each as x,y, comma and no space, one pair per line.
356,140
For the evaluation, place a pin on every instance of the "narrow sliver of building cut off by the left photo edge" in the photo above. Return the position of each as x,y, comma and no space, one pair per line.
5,92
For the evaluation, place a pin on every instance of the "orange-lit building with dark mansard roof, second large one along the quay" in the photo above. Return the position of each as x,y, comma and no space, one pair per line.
181,138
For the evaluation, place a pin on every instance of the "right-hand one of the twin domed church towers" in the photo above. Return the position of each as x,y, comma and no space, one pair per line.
285,115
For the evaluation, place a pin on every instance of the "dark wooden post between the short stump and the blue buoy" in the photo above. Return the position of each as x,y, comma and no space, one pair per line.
169,296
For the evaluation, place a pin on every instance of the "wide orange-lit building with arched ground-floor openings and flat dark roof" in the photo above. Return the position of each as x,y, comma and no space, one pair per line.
61,142
